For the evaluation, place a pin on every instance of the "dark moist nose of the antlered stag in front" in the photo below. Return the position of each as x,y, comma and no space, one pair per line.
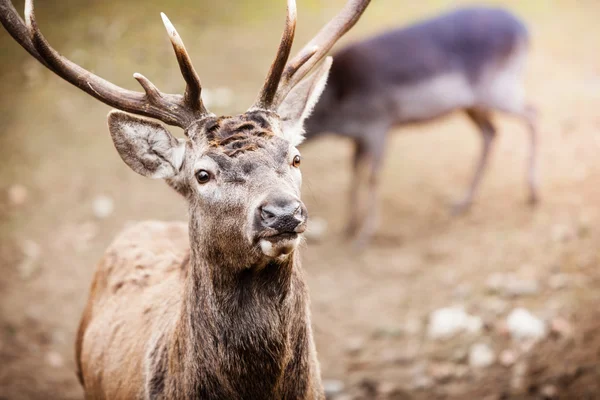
283,214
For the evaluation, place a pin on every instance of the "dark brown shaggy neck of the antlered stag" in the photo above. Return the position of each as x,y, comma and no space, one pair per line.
241,334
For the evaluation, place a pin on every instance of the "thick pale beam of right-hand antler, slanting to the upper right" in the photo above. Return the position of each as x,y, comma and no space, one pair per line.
319,46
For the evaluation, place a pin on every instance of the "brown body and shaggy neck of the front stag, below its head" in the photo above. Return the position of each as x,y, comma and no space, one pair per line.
248,340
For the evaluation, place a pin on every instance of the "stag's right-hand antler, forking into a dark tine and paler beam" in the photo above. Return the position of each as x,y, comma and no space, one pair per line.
281,80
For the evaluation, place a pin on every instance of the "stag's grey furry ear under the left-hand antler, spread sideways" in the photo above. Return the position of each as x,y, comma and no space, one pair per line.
146,146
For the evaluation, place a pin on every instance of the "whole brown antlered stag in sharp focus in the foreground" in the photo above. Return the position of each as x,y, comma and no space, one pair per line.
217,308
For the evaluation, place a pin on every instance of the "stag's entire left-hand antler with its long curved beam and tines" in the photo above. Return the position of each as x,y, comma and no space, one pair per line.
173,109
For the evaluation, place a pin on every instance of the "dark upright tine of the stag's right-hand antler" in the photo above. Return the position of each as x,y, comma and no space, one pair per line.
269,89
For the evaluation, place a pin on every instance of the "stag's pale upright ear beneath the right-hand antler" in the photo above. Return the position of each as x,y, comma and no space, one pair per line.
299,103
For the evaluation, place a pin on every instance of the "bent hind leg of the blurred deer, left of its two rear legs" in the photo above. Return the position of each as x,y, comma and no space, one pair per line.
488,133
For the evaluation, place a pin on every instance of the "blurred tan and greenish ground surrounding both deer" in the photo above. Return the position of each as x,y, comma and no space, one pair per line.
64,193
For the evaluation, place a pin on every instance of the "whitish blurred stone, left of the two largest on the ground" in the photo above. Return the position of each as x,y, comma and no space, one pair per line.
447,322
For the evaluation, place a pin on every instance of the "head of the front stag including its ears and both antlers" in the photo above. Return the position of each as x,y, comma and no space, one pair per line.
239,174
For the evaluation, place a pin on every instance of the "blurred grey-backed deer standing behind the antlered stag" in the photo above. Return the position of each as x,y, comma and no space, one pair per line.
471,60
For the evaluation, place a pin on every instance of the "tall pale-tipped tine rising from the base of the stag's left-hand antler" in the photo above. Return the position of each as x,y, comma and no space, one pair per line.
193,89
